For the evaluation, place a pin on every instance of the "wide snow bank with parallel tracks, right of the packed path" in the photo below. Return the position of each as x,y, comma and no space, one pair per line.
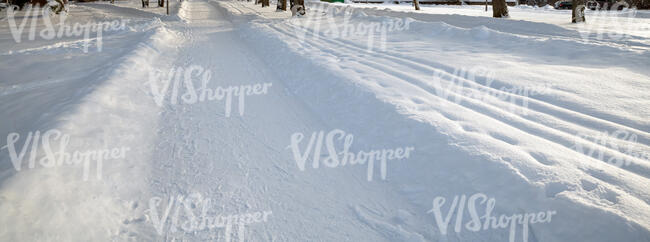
528,162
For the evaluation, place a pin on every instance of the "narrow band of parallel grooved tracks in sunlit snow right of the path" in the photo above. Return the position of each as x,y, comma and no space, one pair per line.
496,109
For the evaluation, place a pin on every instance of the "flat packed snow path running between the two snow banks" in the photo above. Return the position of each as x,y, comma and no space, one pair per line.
240,161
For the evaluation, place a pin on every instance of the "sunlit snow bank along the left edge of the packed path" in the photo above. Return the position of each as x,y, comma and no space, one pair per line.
40,202
